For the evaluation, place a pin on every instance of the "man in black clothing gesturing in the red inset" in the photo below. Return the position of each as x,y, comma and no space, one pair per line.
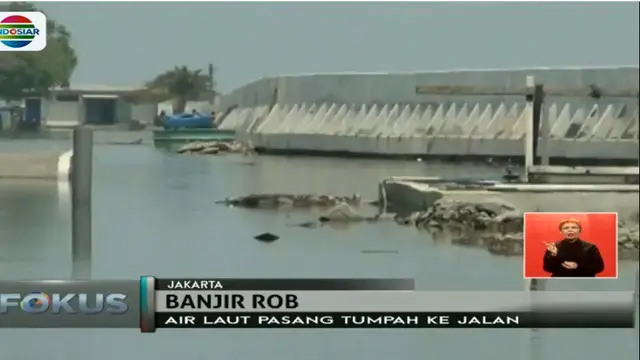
572,257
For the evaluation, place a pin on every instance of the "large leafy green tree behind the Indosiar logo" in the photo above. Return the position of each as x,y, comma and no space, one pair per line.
37,71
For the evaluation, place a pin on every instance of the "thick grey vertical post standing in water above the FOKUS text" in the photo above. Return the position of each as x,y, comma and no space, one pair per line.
81,189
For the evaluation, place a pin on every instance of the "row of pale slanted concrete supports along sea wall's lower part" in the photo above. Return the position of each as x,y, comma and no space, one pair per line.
460,129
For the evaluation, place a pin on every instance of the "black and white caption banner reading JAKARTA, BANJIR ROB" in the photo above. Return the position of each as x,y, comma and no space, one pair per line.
314,303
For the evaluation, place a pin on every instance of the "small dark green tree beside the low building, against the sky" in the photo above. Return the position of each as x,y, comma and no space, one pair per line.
182,84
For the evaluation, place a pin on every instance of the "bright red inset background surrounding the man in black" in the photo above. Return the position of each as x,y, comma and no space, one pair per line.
600,229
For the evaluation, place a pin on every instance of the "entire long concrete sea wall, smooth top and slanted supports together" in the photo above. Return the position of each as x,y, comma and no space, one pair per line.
385,114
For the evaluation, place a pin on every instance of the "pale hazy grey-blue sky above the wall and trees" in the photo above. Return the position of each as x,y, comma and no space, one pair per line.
129,43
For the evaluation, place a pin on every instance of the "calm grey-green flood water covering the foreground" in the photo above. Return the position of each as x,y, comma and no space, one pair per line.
154,214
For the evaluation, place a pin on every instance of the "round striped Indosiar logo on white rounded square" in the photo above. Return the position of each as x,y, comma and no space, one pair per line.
23,31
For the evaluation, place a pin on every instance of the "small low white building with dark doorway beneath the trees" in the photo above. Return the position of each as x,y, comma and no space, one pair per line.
96,105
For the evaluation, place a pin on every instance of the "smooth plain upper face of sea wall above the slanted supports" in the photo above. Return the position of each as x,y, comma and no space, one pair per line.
398,88
